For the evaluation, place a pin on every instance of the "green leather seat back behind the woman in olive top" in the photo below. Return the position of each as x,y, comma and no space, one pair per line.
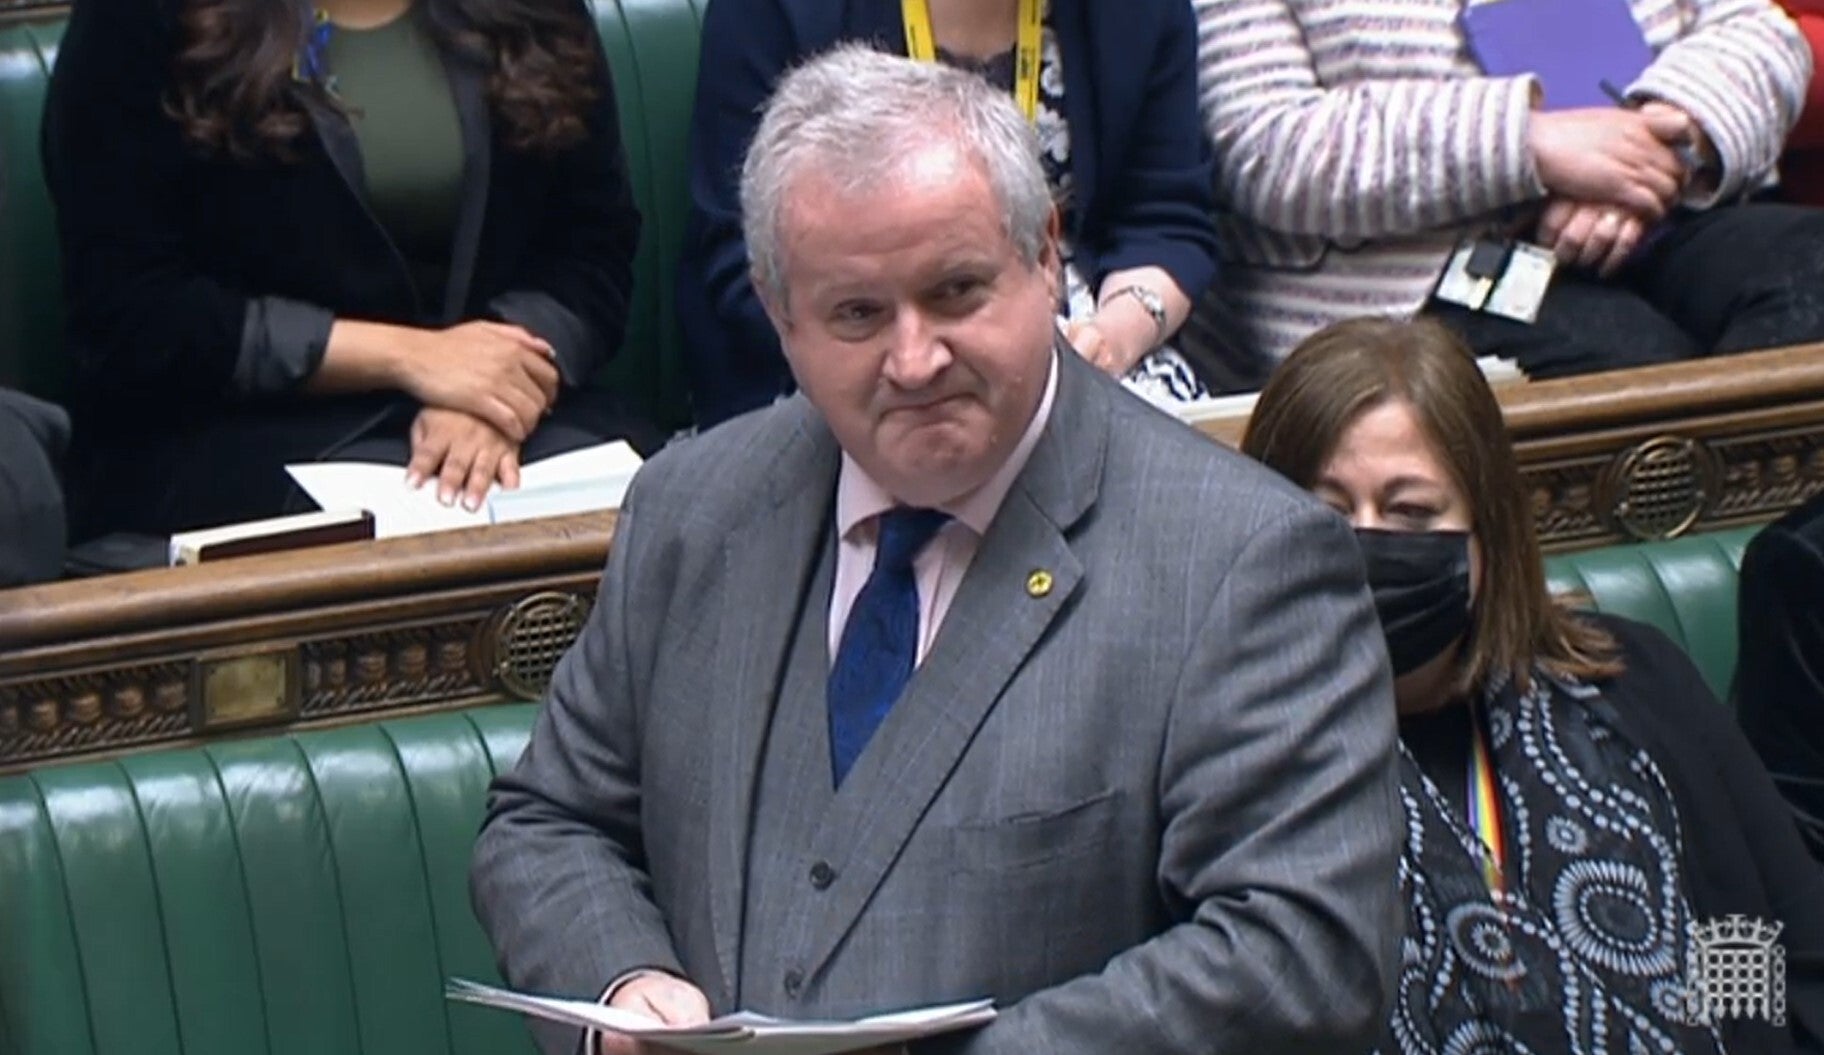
652,48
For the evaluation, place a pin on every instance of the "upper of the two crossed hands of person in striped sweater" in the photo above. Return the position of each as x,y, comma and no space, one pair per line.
1612,156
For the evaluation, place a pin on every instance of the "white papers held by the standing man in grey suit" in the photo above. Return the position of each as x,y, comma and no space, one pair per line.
743,1032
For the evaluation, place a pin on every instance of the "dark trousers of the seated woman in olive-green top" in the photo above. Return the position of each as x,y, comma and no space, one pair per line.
231,468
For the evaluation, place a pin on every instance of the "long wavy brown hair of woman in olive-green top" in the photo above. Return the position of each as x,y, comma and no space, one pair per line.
234,90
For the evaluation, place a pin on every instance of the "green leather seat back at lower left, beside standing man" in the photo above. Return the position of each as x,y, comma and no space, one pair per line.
295,895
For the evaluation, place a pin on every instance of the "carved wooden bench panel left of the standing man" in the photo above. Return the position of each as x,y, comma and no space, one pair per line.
295,640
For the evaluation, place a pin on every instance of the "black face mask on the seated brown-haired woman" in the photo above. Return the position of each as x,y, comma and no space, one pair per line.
1422,590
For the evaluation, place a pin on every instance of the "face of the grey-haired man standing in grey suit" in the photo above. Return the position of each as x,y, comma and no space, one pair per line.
913,324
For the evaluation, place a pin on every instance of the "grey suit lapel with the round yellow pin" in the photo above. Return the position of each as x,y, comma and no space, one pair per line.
999,618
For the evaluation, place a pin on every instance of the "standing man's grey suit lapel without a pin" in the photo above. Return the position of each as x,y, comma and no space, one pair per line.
769,556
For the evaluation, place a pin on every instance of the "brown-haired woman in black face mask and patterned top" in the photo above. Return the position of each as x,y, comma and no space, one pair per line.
1577,800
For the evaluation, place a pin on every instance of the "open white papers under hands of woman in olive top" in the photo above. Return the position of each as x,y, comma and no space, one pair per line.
572,483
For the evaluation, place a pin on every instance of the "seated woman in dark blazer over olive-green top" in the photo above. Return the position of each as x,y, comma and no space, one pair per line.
389,231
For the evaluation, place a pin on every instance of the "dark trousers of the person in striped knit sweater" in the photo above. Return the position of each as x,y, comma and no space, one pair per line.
1730,280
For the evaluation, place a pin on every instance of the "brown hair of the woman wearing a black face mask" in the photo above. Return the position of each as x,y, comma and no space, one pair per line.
1352,368
